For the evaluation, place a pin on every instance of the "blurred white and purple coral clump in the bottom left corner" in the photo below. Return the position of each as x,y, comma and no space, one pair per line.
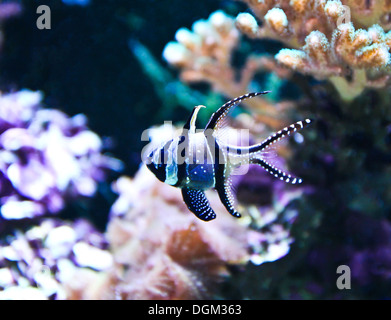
54,260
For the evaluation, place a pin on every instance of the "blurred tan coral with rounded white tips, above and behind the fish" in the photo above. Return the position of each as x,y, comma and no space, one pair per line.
205,54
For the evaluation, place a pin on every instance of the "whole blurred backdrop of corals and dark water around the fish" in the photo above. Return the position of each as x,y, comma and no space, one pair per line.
81,218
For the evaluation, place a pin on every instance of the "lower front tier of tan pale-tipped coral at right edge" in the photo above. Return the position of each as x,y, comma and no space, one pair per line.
351,54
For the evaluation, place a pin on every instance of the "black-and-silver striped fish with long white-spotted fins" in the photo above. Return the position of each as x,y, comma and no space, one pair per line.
198,161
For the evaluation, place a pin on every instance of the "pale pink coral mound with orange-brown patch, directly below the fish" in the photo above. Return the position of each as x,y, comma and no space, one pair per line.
161,250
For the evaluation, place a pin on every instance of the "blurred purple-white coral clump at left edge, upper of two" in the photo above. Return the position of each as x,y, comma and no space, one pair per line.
45,157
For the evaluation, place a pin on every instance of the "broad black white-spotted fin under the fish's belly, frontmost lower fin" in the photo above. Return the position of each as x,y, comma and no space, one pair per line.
197,203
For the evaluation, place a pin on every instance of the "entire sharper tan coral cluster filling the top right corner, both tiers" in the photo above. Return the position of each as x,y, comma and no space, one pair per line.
324,42
